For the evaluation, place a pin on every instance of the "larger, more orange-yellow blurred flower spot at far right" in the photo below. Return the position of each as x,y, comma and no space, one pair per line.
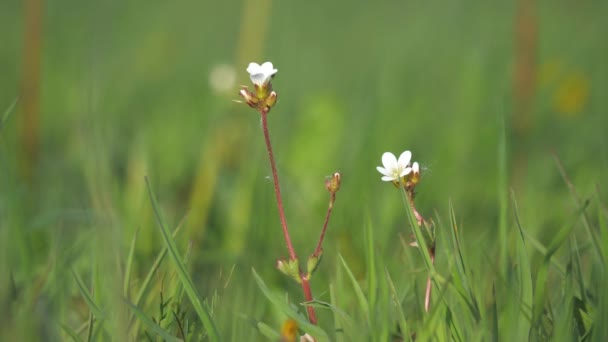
571,94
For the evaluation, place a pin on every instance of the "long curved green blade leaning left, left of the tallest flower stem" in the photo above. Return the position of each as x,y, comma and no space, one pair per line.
184,277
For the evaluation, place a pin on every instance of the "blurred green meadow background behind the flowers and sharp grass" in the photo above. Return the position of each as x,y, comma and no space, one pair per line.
128,89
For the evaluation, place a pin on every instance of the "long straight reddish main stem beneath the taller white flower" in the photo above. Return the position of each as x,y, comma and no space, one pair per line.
312,317
